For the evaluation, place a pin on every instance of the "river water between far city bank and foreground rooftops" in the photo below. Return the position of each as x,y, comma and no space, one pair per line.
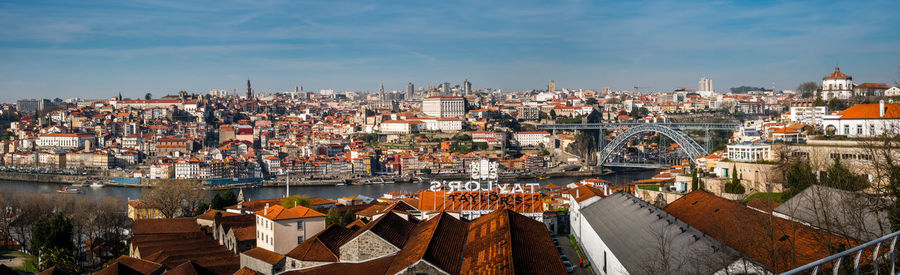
373,191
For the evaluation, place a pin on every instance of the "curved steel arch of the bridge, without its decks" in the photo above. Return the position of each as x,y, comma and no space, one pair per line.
690,147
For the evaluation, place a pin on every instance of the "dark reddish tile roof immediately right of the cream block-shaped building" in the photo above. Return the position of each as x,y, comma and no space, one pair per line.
322,247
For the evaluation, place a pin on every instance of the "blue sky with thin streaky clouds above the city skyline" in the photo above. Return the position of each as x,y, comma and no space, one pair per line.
97,49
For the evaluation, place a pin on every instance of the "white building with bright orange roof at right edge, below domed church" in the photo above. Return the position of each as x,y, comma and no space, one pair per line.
864,120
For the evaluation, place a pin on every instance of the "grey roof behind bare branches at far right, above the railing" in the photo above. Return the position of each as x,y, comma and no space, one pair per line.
838,211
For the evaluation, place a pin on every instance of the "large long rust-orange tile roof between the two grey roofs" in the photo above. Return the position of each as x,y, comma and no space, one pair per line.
777,243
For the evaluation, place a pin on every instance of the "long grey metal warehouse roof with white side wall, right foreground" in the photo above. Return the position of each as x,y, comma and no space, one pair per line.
638,234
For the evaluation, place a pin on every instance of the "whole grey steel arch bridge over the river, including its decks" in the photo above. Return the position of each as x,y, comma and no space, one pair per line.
673,131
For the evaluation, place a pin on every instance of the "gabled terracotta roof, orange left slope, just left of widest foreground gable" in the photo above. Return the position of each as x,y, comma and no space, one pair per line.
439,241
